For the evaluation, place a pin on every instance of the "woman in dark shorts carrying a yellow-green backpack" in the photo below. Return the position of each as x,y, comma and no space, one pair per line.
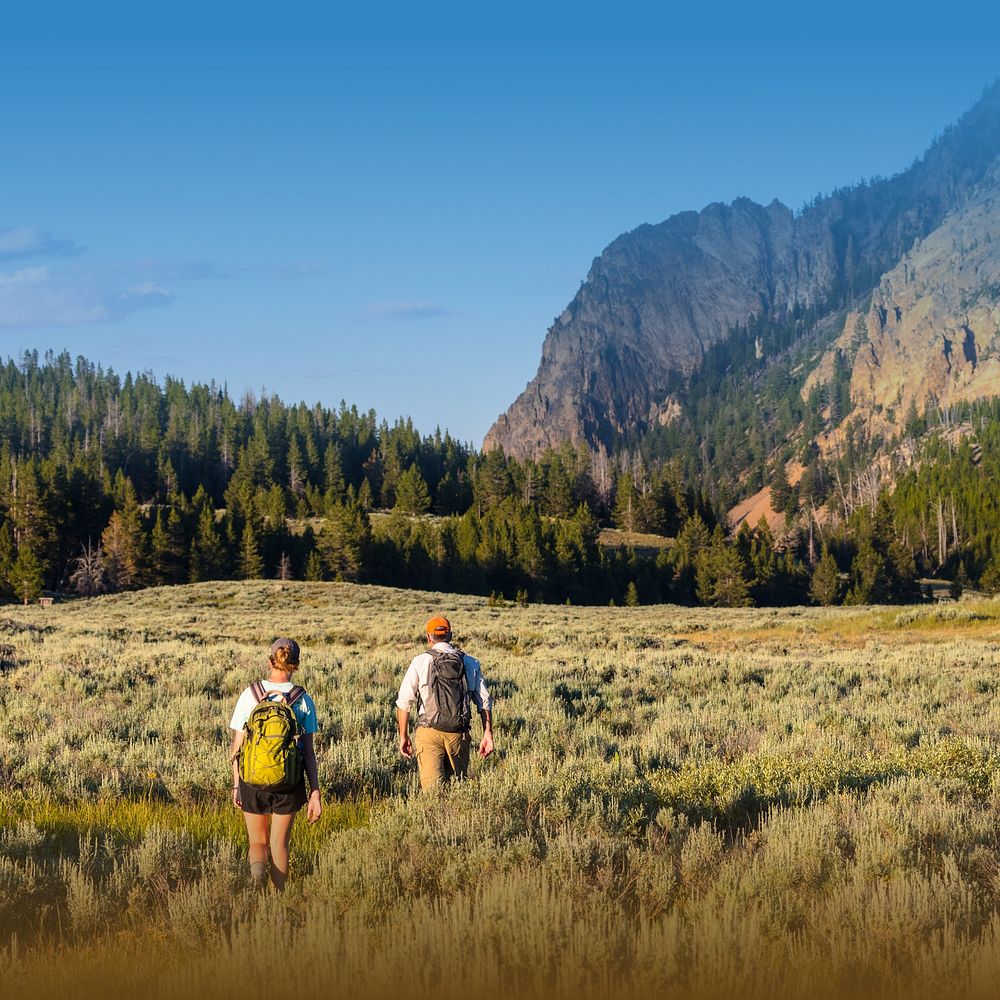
269,773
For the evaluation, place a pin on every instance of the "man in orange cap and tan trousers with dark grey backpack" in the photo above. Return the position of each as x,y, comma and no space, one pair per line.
443,680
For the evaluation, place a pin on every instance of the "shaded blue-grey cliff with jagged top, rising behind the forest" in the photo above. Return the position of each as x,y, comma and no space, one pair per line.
659,296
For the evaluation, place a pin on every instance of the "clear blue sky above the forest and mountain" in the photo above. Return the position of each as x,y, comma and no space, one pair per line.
391,207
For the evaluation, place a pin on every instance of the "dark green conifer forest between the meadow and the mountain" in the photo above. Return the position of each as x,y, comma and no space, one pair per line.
112,483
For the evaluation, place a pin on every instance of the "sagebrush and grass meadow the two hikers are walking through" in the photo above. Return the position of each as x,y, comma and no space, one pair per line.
686,802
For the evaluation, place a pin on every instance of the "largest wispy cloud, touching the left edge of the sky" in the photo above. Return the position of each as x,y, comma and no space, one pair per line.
36,296
